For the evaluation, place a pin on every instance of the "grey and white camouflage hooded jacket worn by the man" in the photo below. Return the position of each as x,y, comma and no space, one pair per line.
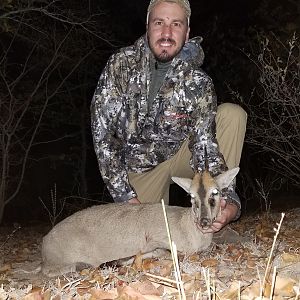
129,137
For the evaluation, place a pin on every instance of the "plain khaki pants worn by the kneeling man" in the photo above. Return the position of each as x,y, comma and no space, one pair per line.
152,186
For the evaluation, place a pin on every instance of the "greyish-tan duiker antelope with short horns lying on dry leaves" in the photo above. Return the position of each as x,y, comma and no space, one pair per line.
110,232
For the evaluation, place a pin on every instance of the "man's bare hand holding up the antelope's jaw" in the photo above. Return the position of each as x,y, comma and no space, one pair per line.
228,213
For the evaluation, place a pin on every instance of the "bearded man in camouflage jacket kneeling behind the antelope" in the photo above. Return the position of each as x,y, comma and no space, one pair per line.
154,113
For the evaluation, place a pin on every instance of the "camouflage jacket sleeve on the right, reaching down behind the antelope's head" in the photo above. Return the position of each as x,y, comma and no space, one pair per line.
204,136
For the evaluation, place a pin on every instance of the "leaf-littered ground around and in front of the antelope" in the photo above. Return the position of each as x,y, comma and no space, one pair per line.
233,268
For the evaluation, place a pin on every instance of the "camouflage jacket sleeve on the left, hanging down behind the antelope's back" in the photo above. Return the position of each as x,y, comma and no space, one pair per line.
106,109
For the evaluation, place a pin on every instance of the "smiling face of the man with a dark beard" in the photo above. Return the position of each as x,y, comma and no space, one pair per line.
167,30
